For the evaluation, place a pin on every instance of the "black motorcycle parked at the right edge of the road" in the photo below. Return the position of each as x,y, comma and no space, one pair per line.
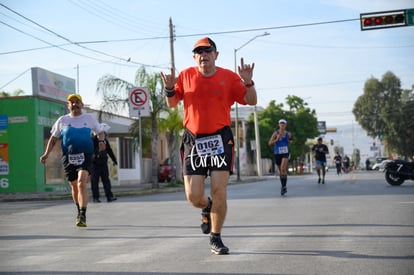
397,171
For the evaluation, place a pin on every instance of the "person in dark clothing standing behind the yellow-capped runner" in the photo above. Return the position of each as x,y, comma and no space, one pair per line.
100,168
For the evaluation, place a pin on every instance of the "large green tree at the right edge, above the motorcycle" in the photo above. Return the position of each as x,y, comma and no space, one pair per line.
385,111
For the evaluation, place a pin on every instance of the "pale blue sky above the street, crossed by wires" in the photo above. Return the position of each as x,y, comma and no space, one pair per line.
307,53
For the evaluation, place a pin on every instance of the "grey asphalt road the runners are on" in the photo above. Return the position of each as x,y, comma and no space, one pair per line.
354,224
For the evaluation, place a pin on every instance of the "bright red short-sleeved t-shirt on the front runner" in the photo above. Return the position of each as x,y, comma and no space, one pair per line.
208,100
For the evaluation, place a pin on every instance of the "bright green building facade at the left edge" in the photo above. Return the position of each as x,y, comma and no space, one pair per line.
25,124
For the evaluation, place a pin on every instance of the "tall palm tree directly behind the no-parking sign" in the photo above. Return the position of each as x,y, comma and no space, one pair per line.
115,93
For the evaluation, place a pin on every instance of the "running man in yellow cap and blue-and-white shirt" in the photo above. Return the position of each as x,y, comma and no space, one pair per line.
75,131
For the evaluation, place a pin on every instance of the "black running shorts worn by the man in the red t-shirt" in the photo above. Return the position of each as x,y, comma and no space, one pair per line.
193,164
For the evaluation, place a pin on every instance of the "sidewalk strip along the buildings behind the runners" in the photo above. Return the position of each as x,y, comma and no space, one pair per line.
140,189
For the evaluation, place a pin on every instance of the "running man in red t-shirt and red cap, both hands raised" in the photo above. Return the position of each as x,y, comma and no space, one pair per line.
207,149
